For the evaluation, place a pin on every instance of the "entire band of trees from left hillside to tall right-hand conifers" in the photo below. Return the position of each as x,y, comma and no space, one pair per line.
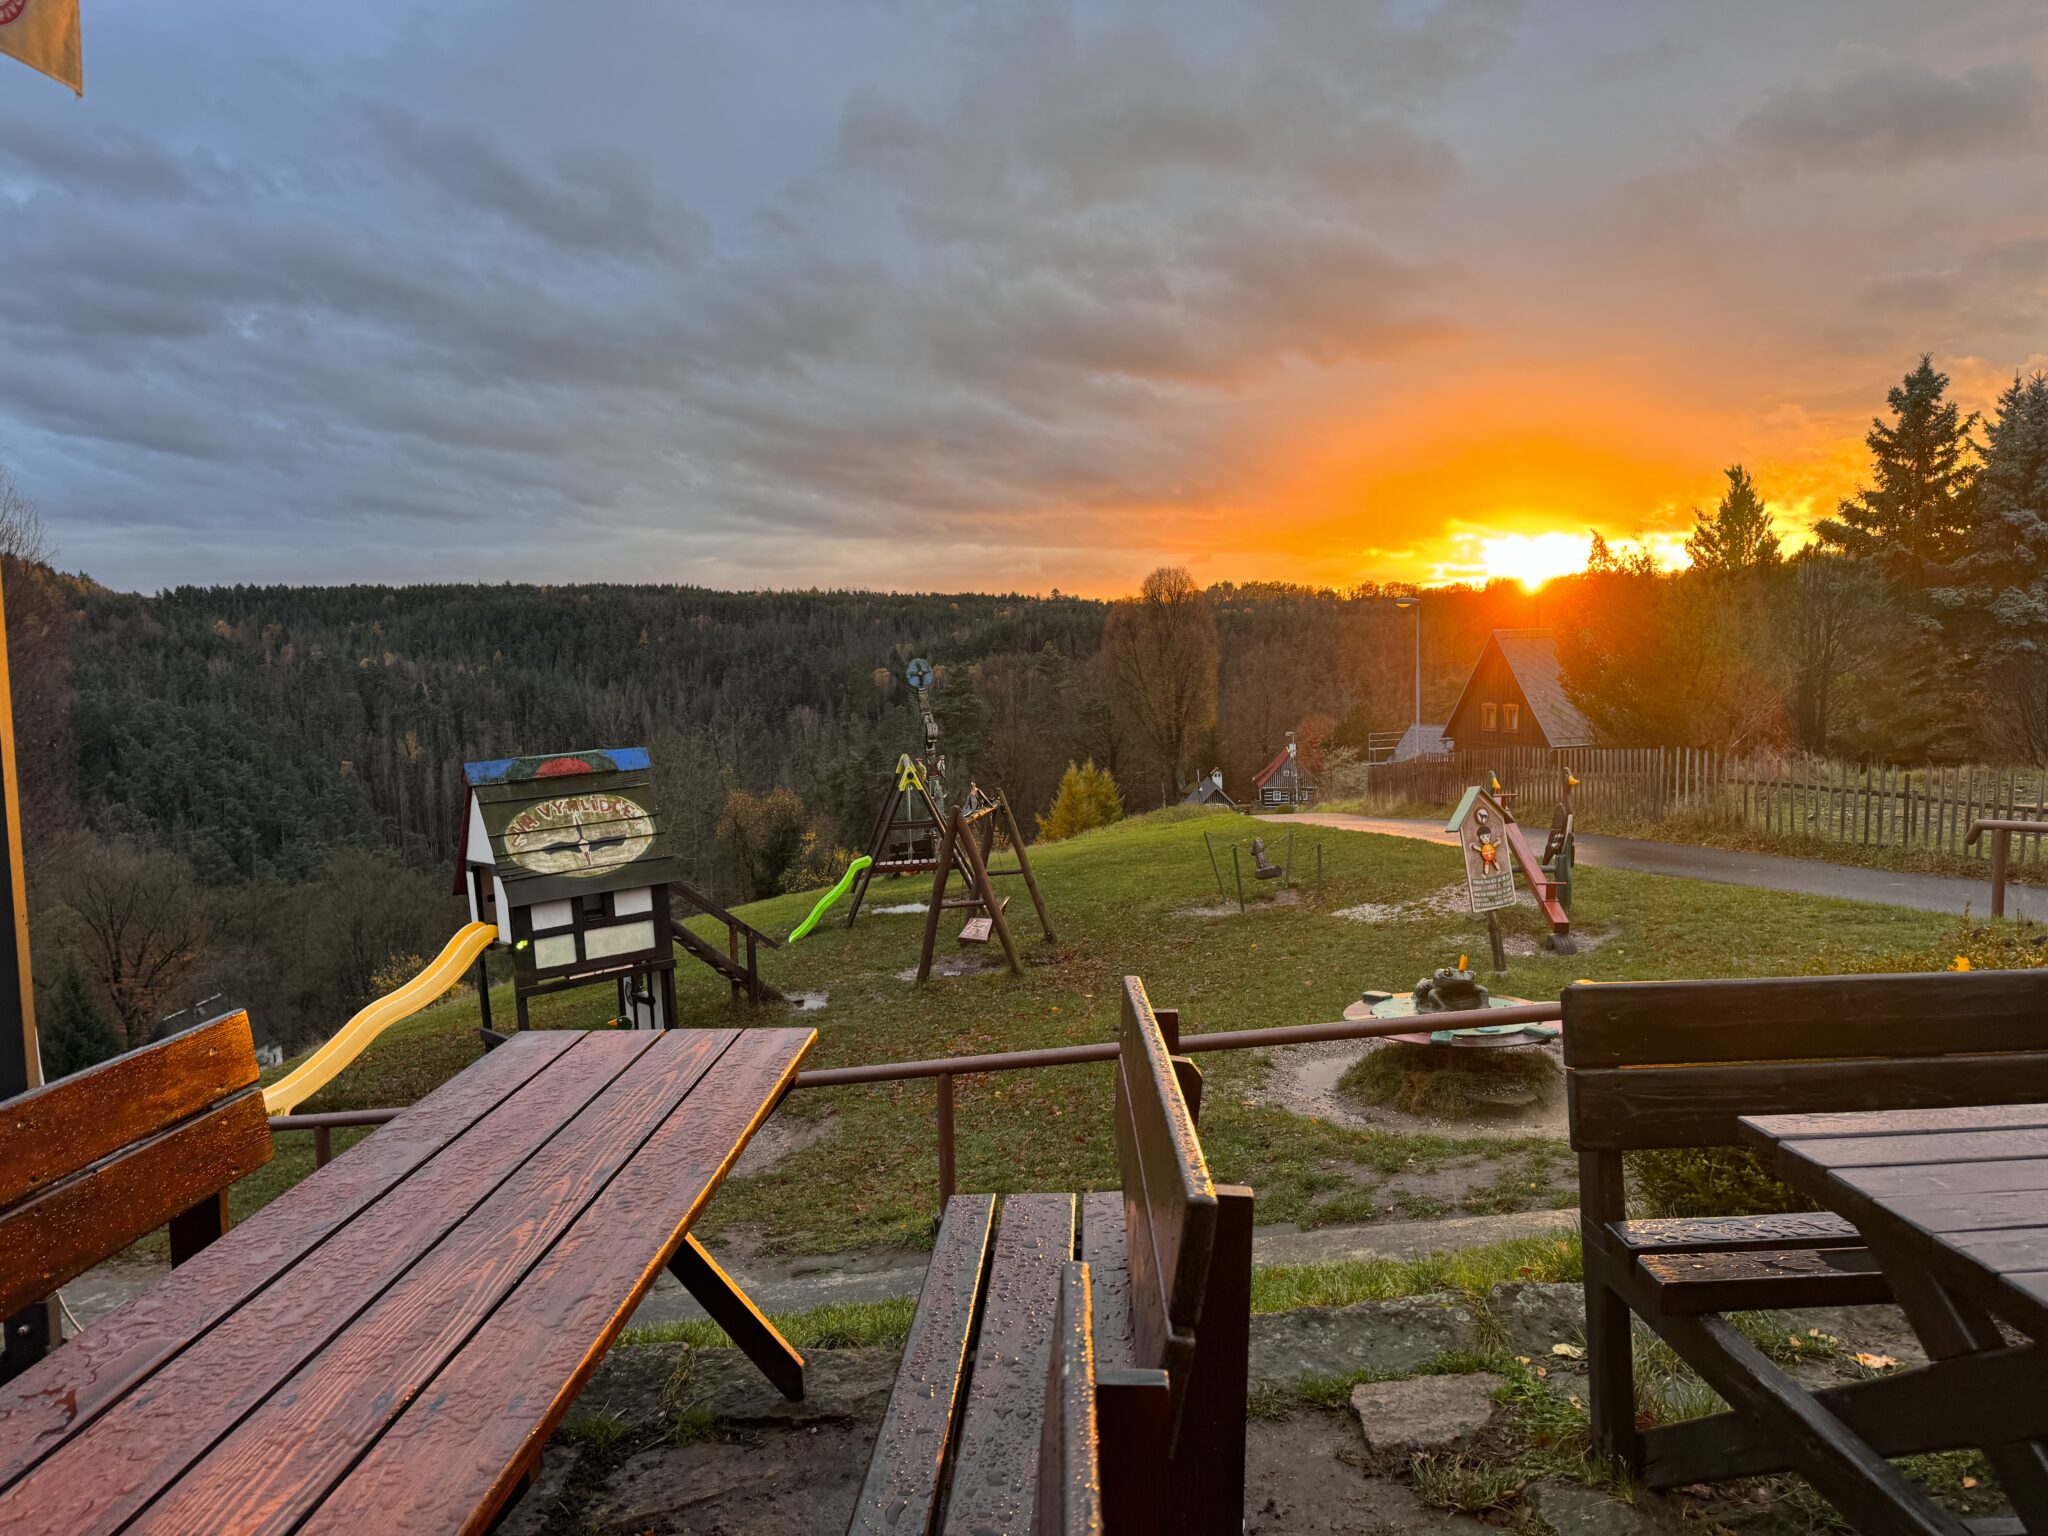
253,796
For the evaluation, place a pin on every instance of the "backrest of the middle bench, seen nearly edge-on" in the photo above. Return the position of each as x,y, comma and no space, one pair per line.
1170,1203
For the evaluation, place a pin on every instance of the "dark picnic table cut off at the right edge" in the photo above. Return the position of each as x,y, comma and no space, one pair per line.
1953,1203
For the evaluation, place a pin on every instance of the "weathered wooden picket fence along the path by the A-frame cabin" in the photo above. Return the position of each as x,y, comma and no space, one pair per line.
1787,798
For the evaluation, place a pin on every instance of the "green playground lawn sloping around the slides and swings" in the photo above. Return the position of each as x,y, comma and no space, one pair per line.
1123,902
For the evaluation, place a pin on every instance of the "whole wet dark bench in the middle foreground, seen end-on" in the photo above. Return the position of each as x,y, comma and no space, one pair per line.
1082,1365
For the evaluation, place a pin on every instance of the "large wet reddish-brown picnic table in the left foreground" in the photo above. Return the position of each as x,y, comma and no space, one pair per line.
390,1345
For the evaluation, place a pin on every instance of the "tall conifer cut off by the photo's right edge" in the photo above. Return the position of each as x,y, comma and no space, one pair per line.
1996,597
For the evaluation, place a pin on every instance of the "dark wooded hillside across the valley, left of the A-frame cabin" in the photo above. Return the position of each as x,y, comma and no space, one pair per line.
251,796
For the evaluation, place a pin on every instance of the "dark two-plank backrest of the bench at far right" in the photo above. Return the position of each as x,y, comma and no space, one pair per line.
1676,1064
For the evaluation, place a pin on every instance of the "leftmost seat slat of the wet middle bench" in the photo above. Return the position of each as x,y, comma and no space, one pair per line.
910,1453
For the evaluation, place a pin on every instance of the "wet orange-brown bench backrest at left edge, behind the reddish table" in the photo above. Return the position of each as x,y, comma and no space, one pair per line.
93,1162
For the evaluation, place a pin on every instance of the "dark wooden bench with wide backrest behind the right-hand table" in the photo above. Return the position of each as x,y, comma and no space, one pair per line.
1676,1064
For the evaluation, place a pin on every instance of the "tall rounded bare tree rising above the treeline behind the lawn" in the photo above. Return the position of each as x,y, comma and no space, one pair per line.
1162,652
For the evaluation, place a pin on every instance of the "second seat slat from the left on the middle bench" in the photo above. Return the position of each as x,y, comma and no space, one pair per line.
996,1469
